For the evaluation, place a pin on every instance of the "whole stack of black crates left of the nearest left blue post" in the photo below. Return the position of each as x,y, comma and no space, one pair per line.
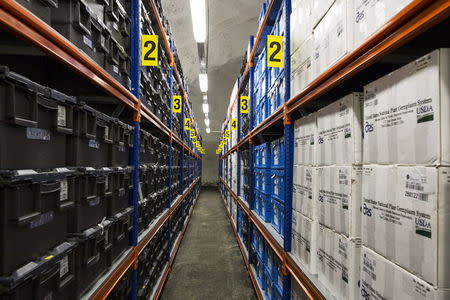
65,183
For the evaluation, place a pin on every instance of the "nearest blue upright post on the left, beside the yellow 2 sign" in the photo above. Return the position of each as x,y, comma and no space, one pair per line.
135,84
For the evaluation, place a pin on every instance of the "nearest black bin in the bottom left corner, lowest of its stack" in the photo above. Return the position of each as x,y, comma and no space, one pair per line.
49,277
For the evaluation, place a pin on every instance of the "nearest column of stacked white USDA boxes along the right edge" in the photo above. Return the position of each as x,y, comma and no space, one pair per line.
406,180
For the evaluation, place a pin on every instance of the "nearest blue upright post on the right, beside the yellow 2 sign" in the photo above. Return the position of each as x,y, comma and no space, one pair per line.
289,146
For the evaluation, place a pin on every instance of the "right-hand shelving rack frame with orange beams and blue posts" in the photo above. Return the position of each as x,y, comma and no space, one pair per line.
412,23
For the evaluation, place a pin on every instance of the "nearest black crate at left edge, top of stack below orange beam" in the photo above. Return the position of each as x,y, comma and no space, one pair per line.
32,117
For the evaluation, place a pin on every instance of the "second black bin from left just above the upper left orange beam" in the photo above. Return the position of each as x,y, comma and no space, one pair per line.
73,20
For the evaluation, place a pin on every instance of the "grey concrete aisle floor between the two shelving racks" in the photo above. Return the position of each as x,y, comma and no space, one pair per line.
209,264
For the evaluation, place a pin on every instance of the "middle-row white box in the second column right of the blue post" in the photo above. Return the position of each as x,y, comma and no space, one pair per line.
338,198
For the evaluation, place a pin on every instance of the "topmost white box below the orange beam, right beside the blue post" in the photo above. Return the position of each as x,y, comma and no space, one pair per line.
305,140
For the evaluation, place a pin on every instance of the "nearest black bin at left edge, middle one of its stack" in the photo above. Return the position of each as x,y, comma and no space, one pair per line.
33,214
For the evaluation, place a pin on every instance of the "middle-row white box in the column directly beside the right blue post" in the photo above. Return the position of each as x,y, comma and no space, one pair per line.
303,192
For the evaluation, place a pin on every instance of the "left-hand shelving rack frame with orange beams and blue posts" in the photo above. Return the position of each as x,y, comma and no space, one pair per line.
24,25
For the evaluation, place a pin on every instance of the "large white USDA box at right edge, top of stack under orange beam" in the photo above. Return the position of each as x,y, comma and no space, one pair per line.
407,114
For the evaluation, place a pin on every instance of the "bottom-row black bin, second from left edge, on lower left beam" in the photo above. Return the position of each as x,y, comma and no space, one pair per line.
91,256
